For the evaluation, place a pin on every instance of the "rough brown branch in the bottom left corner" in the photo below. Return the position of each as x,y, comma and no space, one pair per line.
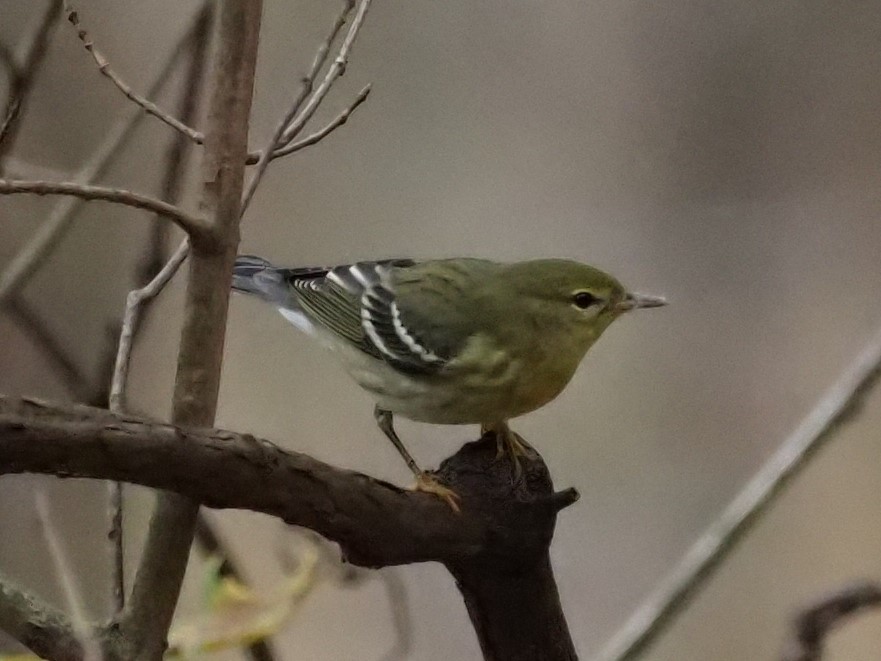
36,624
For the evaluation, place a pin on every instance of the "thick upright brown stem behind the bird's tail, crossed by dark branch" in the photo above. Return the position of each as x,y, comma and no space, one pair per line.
157,584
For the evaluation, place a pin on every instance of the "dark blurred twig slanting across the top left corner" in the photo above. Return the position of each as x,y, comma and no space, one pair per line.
23,76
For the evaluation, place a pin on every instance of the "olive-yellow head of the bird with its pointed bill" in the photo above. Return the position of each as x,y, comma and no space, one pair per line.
574,296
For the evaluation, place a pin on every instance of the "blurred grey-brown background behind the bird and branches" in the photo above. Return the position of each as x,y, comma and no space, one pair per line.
725,155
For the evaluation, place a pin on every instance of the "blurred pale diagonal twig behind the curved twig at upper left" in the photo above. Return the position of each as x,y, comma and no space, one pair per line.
40,246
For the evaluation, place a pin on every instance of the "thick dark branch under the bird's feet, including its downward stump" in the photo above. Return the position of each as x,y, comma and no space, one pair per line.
497,548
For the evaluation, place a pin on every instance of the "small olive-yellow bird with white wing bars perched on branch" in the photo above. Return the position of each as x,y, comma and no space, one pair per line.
450,341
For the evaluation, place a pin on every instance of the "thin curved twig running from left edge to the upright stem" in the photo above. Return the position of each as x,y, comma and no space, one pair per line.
194,226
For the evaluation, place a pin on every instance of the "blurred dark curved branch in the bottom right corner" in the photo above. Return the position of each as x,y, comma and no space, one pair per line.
815,622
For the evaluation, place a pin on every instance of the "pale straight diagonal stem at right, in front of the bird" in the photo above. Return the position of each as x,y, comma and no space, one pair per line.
835,408
